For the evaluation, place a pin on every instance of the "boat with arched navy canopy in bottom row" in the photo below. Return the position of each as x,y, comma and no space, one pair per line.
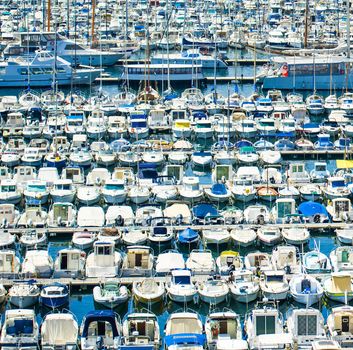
99,329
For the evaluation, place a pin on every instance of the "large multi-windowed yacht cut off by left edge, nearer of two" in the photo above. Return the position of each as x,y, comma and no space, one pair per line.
15,71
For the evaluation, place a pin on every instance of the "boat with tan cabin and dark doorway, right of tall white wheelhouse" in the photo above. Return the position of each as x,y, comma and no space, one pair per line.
138,261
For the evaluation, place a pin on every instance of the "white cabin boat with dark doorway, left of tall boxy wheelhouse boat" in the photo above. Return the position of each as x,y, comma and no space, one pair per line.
69,263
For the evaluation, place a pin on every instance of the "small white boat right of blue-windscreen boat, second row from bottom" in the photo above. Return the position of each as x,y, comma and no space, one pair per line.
213,291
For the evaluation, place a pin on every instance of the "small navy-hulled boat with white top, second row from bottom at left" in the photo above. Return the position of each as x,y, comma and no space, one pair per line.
54,295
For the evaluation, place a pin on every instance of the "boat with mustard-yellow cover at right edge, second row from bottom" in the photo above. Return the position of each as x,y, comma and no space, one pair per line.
338,287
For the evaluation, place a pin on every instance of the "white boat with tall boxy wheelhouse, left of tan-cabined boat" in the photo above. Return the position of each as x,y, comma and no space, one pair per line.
104,261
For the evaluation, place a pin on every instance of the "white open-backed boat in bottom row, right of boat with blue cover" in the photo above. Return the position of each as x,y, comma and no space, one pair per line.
224,325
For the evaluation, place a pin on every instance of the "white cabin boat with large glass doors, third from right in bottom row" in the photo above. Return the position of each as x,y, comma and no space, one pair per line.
264,327
